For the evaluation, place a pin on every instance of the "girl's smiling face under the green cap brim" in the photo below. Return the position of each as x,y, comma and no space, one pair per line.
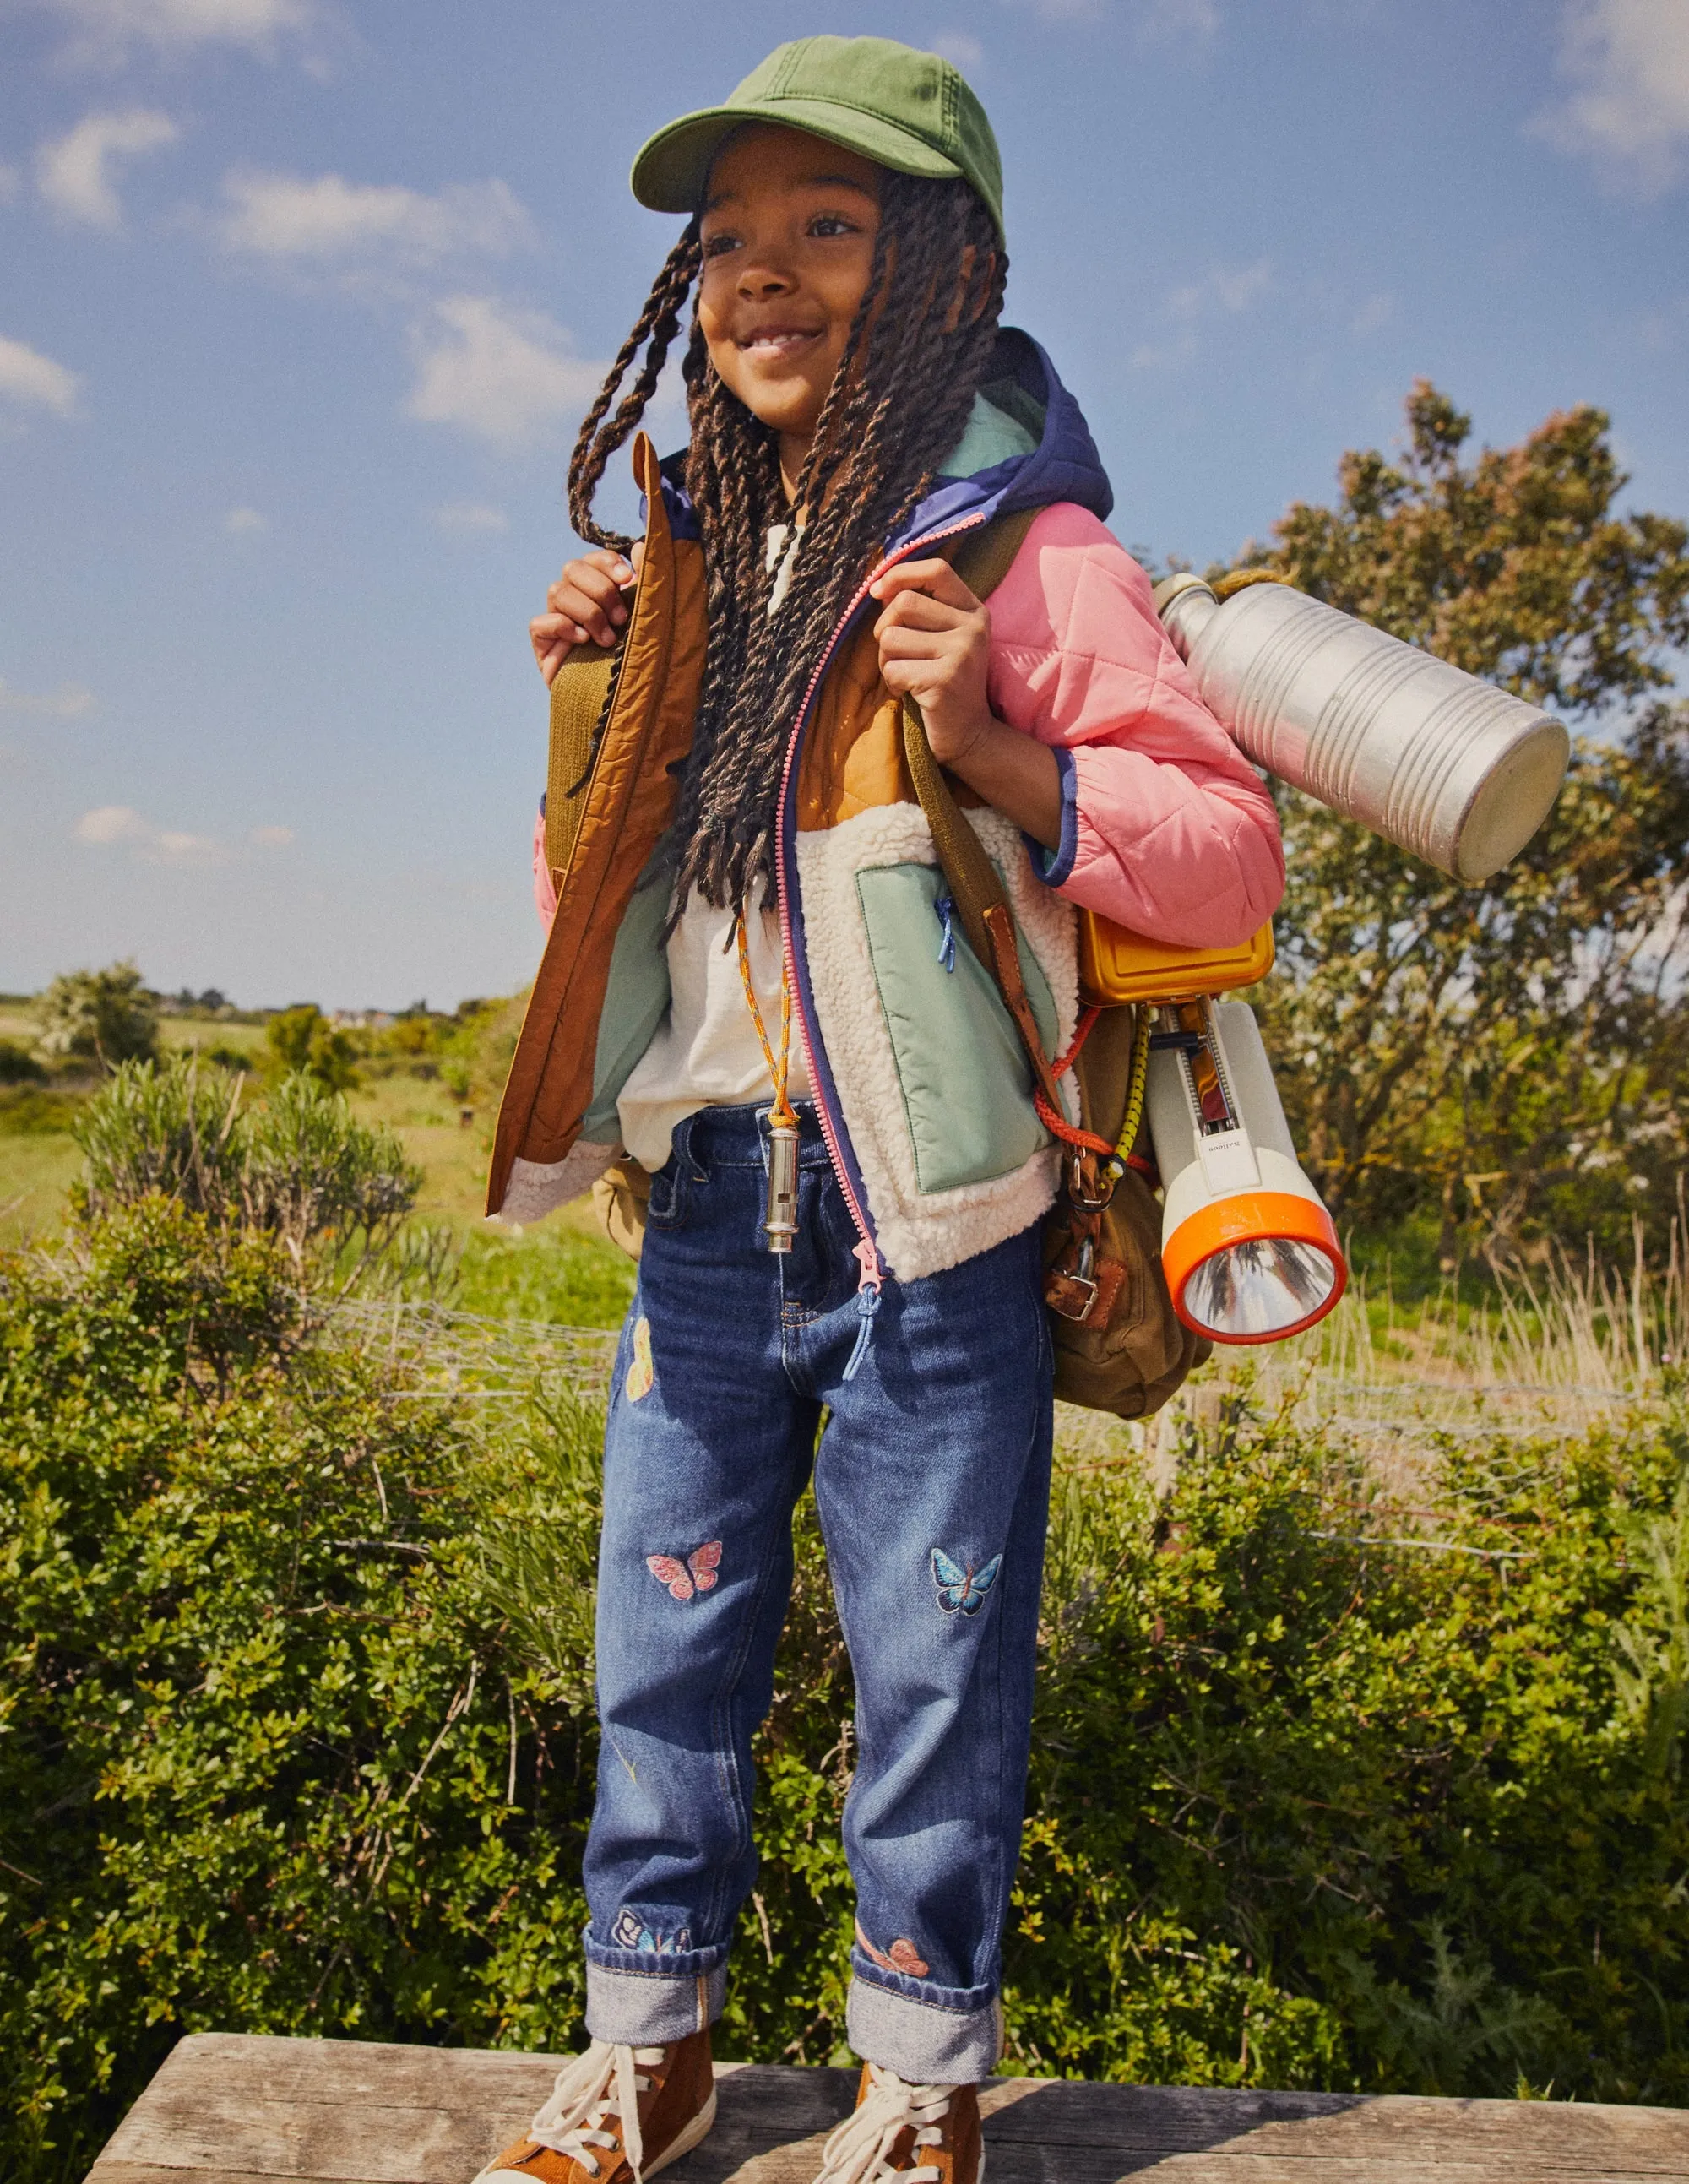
788,235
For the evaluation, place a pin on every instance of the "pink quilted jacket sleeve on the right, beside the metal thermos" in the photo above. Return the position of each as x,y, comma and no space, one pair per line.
1166,829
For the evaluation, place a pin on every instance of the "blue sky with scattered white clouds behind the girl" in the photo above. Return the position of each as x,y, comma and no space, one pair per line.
300,302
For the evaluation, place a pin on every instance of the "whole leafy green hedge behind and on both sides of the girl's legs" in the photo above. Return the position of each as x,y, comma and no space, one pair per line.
296,1692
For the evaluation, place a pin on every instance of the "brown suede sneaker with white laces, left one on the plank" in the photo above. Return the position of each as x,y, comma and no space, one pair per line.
615,2115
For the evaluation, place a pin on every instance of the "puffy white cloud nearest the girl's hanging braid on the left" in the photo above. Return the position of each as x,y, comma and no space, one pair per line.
501,375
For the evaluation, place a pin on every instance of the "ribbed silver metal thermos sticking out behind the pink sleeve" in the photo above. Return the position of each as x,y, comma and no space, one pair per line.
1421,752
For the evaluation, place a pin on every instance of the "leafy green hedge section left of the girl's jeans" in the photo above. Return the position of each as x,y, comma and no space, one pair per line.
272,1757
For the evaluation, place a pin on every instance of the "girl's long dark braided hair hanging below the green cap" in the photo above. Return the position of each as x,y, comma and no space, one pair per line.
917,355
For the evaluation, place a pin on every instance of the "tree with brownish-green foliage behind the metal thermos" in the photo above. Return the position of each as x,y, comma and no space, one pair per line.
1511,1052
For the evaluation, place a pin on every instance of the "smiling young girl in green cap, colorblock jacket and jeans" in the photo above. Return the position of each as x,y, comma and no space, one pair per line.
748,857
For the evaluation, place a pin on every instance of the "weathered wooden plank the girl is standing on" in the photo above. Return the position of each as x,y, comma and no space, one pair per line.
263,2111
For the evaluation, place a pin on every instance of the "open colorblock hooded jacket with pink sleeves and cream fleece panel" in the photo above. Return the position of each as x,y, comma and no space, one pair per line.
919,1076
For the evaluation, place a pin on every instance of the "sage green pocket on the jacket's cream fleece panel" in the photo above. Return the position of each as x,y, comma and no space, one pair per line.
967,1084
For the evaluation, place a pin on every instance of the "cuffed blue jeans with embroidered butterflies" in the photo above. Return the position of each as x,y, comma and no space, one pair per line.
932,1484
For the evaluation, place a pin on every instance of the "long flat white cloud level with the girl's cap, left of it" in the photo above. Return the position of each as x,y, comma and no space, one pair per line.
329,222
